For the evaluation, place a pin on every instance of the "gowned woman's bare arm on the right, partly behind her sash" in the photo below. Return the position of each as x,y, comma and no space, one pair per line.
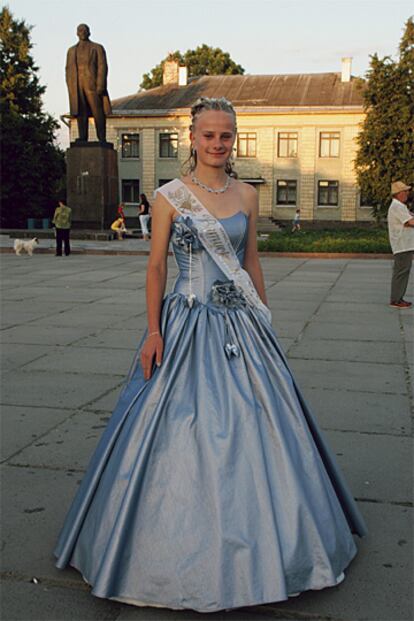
251,258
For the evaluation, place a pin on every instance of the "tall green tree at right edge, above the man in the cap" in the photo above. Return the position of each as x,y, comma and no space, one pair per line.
386,141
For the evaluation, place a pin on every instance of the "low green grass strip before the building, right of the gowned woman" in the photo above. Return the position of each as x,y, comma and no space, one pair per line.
336,240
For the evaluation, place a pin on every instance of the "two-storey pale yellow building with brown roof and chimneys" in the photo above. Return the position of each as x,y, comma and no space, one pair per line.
296,139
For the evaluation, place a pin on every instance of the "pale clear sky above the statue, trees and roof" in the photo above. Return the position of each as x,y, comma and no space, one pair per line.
264,36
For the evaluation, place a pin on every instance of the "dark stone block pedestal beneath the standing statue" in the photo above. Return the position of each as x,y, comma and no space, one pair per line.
92,184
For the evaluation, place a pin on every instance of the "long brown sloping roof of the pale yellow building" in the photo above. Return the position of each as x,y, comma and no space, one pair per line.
248,91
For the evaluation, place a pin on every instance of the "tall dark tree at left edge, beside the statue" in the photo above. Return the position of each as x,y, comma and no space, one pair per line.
32,165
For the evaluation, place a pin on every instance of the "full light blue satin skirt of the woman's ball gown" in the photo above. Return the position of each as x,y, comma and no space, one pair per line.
212,486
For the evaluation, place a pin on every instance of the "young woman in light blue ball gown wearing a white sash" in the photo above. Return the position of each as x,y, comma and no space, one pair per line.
212,487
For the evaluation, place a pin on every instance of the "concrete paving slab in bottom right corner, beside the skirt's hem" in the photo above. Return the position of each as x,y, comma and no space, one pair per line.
378,583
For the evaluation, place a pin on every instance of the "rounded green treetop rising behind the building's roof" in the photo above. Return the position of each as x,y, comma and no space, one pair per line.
204,60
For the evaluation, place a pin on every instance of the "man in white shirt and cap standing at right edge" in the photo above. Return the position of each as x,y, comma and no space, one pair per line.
401,234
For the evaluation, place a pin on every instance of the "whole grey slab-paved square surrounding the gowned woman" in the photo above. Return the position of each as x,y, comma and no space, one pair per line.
70,329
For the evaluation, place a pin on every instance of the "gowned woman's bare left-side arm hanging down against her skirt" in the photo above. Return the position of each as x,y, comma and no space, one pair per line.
155,282
